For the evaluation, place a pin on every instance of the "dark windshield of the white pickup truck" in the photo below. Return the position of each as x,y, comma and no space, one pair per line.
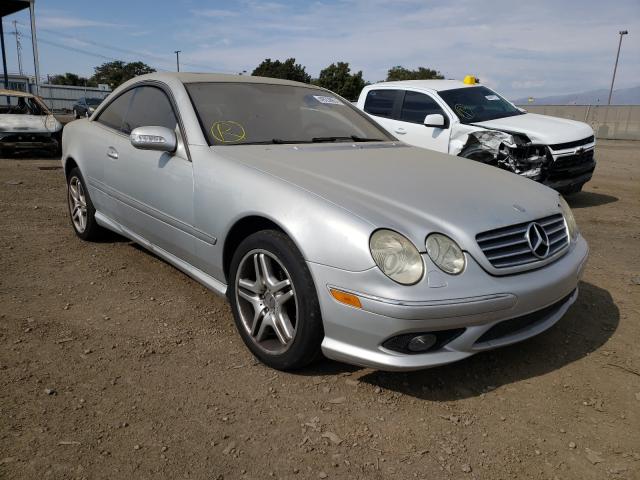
478,104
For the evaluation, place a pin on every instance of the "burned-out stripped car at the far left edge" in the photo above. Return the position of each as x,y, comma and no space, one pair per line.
26,124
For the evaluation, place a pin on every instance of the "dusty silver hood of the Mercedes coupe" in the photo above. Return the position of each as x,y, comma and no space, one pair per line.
411,190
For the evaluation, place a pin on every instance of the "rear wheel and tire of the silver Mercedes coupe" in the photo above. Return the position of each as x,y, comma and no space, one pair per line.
81,209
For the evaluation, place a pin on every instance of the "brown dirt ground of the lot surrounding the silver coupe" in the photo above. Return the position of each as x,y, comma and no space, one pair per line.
115,365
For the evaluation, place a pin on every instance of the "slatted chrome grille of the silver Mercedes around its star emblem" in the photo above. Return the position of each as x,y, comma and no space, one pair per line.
508,246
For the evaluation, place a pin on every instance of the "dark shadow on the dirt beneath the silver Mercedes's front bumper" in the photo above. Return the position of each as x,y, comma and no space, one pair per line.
588,324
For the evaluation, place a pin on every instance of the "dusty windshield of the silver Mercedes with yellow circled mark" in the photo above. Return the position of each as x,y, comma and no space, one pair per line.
257,113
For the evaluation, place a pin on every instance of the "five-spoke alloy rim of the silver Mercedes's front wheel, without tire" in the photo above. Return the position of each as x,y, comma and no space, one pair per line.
267,302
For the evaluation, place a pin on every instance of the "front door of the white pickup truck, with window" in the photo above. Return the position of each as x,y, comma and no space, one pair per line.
410,127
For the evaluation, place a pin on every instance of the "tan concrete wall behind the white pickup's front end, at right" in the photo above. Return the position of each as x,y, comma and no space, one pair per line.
615,122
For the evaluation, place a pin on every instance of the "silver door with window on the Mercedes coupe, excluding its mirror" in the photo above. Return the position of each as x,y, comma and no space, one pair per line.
154,190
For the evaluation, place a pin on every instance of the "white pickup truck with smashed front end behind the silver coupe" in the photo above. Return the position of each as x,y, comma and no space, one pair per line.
470,120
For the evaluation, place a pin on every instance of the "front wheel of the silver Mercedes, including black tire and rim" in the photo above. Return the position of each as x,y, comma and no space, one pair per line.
287,335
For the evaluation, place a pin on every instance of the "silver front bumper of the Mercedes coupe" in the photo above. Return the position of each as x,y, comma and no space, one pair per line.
473,301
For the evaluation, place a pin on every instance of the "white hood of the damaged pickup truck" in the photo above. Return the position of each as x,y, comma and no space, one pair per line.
542,129
